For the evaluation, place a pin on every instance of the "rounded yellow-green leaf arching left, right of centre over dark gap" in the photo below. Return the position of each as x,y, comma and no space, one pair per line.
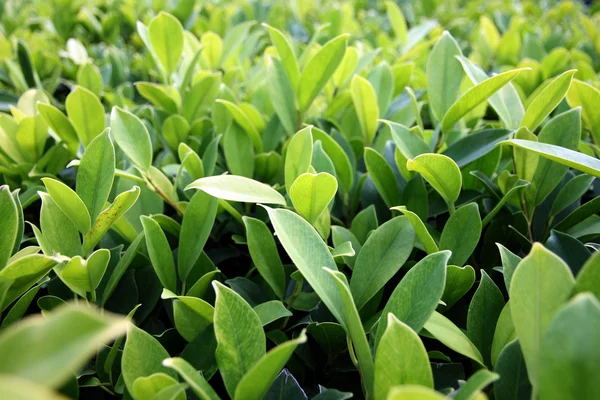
441,172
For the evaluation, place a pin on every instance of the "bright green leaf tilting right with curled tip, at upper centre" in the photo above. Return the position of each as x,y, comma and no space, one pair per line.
319,69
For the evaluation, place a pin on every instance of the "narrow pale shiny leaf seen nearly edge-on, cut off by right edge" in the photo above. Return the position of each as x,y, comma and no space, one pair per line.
573,159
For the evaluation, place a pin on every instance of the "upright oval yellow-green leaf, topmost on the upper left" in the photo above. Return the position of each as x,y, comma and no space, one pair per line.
166,38
